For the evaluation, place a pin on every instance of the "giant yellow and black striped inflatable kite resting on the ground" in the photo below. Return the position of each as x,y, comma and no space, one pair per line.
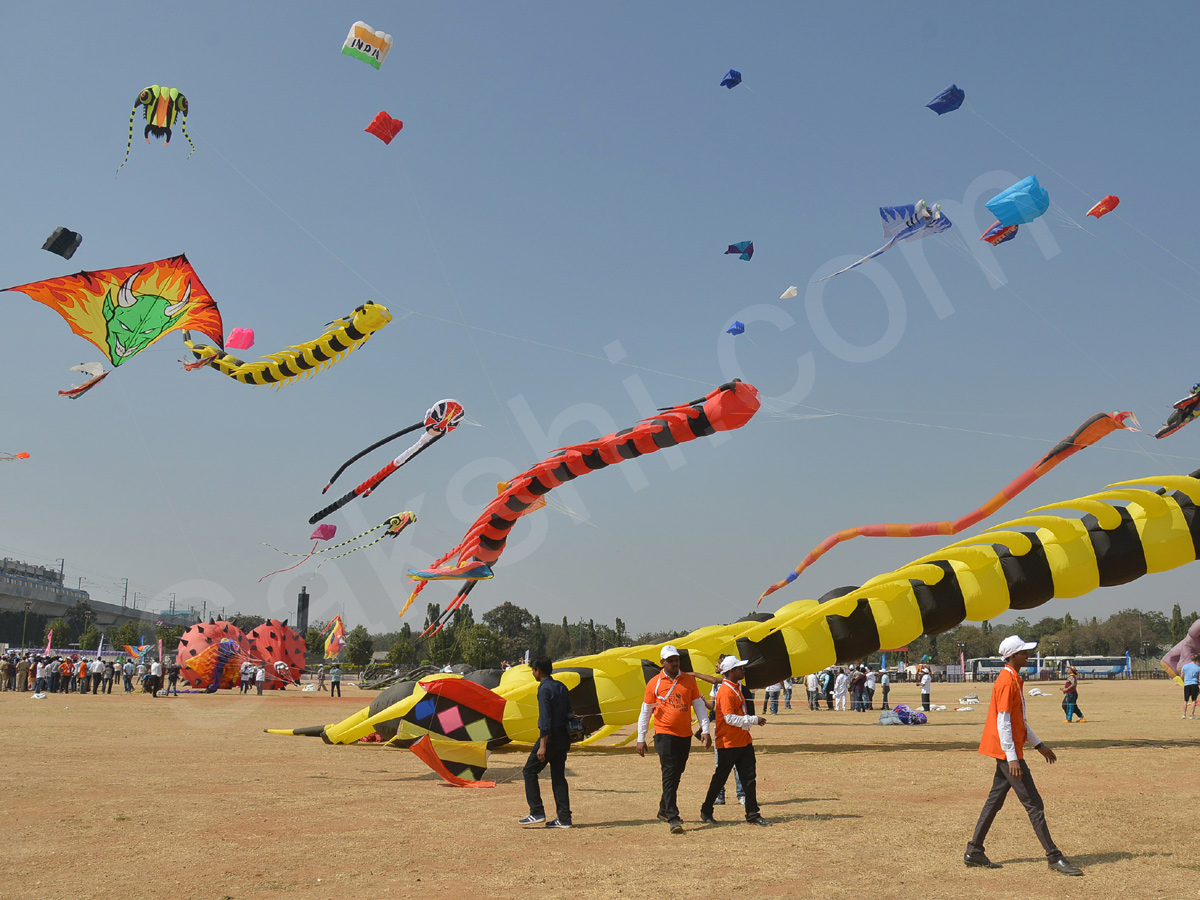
1131,530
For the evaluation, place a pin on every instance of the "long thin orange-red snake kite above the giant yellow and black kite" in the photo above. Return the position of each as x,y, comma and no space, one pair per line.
1084,436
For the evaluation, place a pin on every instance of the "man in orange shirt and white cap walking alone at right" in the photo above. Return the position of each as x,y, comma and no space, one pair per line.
1005,736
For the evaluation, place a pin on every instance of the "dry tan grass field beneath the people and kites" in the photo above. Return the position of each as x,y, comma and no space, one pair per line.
137,797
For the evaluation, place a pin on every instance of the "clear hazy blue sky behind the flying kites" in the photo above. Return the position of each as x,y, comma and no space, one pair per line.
549,232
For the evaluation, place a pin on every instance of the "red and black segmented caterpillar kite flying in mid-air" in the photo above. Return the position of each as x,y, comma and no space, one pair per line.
728,407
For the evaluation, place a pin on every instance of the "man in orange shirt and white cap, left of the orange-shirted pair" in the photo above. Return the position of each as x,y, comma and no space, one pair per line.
670,697
